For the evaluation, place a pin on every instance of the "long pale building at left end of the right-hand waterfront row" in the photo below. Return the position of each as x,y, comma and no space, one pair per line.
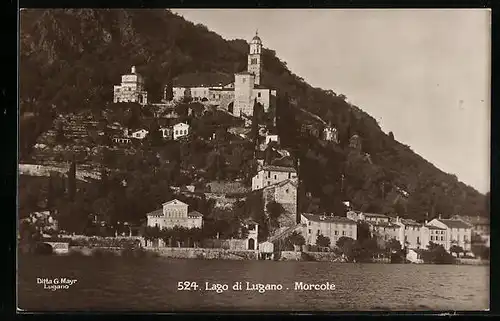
333,227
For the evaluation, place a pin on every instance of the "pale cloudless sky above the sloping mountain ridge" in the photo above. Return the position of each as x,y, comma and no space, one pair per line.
423,74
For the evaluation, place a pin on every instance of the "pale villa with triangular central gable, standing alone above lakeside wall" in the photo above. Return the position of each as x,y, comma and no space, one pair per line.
174,213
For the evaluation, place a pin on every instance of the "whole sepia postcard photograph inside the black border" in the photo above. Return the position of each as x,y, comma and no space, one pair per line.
223,160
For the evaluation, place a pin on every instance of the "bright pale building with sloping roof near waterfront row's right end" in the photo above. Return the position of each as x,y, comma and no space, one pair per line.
458,232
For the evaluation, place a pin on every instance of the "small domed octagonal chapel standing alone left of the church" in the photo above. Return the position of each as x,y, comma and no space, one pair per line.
131,89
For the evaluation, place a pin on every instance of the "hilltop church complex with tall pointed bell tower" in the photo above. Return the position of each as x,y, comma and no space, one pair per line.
238,96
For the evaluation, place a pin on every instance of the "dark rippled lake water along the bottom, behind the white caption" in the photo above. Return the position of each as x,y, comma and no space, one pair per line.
150,284
